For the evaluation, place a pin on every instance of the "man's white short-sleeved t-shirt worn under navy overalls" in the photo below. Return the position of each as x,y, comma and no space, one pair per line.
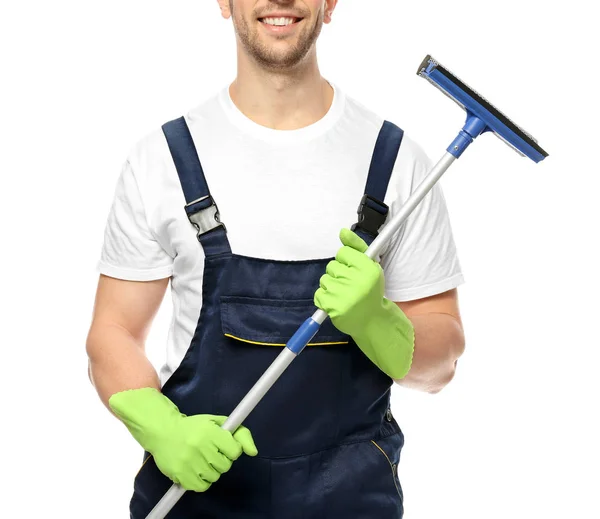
282,194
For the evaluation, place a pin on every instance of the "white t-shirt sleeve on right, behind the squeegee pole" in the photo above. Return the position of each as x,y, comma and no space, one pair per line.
421,260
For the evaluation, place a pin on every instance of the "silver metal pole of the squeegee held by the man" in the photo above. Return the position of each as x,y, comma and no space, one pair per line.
285,358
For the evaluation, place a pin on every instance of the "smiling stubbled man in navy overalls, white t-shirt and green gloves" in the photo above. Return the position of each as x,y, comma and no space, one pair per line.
287,157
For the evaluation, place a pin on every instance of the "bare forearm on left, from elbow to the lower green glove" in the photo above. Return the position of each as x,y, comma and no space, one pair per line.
117,362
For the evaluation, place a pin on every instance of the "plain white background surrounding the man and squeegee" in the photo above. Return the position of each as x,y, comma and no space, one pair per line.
514,435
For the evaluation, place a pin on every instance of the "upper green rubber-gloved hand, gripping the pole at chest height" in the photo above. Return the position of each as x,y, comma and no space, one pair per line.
352,293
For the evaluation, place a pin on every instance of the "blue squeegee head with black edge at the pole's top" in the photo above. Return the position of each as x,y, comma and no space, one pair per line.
480,110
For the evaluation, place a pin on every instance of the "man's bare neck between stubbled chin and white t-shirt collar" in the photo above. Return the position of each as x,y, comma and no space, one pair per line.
281,100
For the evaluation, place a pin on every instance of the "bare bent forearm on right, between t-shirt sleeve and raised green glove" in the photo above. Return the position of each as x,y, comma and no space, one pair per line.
439,342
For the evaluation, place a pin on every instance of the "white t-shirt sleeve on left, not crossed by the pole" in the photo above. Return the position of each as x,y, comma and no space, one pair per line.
130,250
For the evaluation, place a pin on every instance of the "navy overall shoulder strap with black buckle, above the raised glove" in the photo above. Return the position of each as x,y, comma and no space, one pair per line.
372,211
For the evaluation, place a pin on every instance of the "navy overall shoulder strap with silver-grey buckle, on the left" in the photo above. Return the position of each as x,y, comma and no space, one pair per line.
200,207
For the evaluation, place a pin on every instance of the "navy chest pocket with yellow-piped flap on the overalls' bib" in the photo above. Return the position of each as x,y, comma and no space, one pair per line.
301,412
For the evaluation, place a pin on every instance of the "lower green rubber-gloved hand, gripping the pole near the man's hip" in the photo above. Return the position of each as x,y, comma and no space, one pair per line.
192,451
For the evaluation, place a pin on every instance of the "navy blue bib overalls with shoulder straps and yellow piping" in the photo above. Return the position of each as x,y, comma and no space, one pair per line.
328,444
